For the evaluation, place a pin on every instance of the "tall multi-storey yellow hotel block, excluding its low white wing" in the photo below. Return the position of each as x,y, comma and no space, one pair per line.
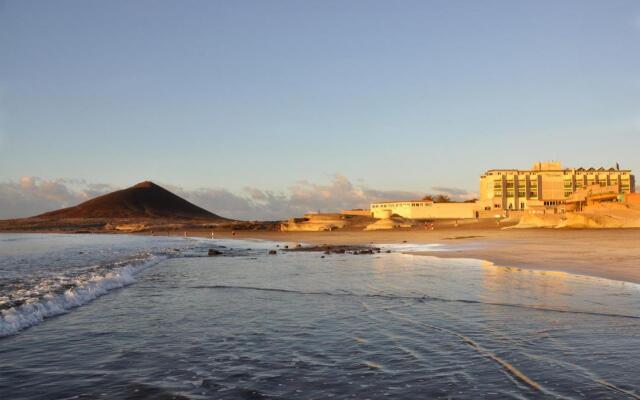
546,185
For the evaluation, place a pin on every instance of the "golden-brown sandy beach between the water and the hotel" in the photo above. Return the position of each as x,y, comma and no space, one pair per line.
607,253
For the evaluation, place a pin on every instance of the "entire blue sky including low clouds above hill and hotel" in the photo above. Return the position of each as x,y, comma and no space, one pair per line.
261,109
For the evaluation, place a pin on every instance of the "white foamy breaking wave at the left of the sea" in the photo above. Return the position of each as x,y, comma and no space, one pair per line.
34,312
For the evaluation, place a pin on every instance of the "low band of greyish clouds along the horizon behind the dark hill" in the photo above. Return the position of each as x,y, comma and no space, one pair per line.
31,195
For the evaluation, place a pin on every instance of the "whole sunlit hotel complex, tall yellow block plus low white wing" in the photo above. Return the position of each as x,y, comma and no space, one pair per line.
547,187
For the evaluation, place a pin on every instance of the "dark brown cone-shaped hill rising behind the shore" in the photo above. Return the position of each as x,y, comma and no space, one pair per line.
144,200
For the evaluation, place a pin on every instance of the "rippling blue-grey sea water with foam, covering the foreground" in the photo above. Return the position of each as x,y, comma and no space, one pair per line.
109,316
